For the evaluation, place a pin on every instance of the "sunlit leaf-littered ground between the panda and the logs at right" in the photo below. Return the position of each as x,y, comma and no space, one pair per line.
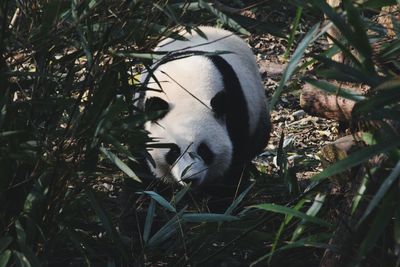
304,135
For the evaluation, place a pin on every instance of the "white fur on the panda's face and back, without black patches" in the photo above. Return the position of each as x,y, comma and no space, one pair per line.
189,122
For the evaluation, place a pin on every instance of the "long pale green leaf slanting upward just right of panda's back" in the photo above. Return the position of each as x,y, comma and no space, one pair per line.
293,63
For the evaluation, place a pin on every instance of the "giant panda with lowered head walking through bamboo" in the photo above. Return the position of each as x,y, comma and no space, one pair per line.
216,118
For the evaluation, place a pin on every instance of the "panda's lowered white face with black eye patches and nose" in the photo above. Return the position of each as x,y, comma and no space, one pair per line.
198,148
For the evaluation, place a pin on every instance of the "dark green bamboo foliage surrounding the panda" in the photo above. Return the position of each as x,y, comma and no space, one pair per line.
70,134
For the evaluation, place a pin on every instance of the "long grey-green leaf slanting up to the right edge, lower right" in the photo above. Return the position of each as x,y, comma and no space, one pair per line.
383,189
